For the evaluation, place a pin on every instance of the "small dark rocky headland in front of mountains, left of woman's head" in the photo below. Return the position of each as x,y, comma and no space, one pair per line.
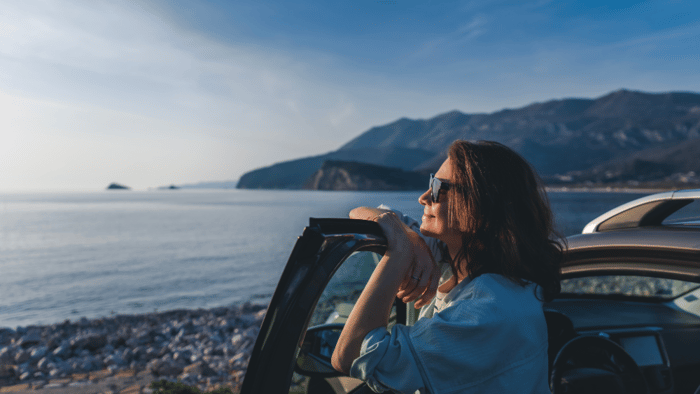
341,175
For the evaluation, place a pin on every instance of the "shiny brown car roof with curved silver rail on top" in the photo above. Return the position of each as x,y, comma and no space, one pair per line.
633,238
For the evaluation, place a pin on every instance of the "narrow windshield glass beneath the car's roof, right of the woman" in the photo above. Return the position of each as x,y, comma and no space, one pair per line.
627,285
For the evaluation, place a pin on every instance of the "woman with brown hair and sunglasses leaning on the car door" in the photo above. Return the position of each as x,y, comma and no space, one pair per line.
487,216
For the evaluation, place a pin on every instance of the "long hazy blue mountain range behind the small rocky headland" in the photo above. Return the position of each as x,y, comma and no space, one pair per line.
624,136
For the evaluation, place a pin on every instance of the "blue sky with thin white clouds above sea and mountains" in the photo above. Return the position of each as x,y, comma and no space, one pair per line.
153,93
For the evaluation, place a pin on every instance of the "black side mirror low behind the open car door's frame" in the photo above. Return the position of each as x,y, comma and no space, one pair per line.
314,357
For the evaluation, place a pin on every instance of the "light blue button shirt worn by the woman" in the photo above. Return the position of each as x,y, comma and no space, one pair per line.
487,335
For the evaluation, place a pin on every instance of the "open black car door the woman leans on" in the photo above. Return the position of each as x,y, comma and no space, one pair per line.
297,304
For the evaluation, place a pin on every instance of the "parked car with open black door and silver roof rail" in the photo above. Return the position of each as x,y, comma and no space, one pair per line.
627,319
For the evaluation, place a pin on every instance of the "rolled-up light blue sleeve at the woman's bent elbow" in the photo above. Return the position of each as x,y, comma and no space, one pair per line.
388,361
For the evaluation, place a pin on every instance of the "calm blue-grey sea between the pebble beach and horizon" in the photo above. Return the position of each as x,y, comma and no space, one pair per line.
64,256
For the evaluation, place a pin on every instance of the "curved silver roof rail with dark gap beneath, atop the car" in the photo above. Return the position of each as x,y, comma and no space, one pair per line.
646,211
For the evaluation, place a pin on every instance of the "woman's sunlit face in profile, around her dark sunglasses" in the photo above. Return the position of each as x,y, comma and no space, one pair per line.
434,223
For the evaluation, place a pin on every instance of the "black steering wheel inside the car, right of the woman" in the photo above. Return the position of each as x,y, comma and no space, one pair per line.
594,364
